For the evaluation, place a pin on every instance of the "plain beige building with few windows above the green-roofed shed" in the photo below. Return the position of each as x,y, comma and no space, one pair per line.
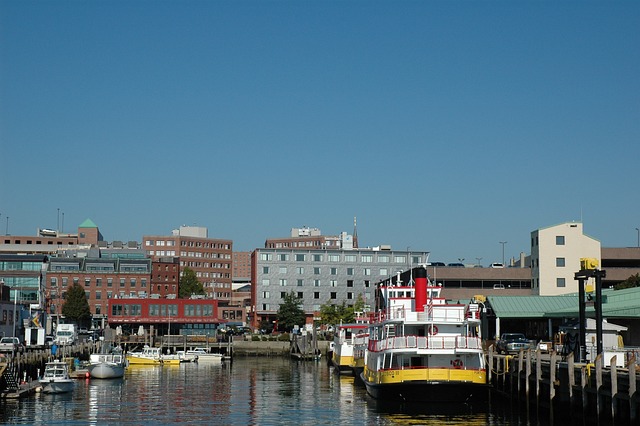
555,257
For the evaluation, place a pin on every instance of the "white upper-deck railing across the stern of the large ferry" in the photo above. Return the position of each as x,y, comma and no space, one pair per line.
425,342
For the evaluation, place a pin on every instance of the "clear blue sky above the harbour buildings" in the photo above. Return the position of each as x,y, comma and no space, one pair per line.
443,126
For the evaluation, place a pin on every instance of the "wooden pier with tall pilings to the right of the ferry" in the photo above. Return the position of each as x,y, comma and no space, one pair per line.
552,388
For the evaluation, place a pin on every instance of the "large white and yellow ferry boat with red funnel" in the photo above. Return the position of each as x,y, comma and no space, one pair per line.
421,349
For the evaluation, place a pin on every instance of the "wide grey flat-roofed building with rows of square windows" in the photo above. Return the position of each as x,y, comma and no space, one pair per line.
319,276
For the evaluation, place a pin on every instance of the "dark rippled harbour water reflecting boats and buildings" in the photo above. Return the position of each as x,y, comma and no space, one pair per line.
251,391
